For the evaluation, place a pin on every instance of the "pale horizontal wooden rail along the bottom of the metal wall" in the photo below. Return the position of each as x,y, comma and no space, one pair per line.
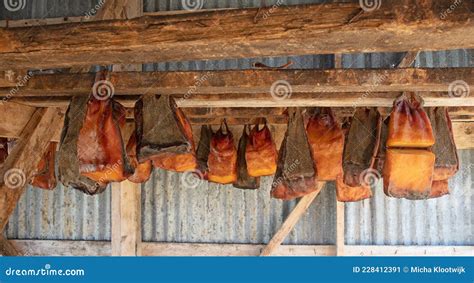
101,248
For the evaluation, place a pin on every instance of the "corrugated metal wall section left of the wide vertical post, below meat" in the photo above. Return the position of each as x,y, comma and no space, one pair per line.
63,213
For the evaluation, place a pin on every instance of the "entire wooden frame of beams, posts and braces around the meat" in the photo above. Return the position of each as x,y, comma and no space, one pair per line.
129,38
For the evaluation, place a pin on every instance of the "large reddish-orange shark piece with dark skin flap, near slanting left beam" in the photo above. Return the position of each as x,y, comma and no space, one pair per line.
92,152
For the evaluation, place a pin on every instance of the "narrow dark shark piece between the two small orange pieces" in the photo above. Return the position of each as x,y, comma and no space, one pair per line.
244,180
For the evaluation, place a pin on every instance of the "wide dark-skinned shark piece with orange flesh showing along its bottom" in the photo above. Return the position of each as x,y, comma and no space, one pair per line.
164,135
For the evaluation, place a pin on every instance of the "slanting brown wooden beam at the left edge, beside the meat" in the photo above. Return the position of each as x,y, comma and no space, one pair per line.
22,161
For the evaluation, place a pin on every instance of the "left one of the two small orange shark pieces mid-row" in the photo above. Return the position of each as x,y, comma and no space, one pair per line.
222,160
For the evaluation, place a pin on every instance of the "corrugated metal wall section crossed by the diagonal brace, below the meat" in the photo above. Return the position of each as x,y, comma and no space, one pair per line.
174,211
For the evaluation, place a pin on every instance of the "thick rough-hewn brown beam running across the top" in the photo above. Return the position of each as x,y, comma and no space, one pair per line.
291,30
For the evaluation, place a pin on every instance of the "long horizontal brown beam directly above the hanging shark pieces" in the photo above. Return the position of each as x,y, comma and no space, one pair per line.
189,84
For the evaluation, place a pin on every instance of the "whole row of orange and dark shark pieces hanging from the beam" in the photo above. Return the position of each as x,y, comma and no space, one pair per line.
411,149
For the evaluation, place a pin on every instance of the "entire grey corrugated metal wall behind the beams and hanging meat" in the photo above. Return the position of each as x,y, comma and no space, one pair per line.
212,213
